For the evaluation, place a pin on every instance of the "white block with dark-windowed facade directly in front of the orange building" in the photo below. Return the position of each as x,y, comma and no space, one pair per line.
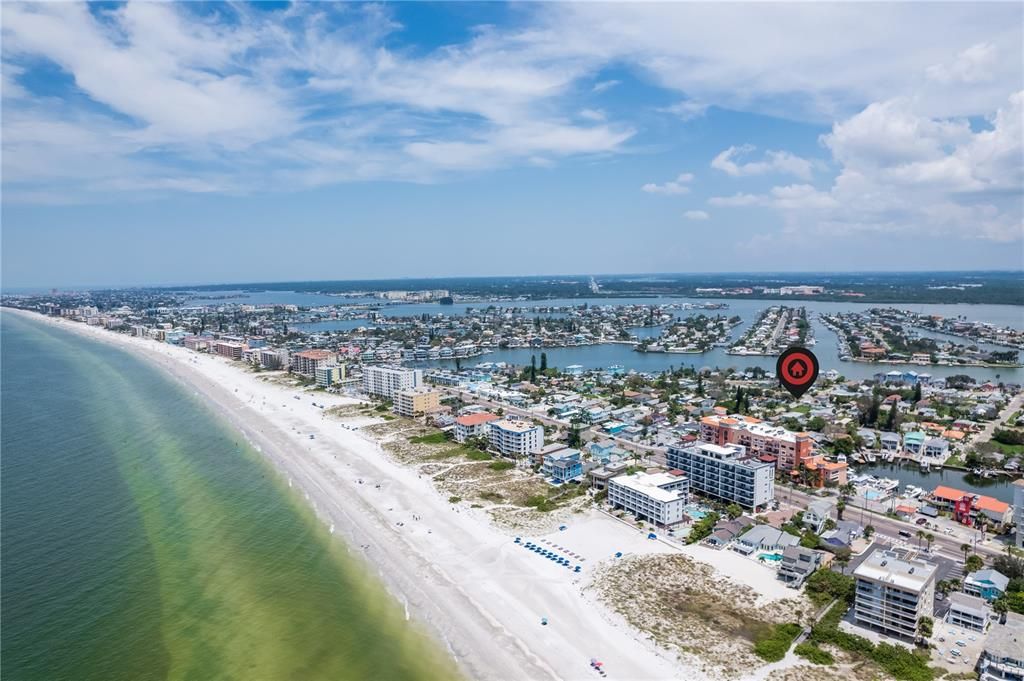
727,473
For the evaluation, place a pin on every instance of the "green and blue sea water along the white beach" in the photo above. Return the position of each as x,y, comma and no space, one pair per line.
143,539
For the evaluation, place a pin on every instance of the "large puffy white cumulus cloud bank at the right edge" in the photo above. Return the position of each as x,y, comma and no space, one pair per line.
906,174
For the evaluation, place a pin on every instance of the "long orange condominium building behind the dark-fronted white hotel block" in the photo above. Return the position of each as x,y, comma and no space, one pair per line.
788,448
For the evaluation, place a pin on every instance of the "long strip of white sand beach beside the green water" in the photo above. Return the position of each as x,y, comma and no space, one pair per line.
482,594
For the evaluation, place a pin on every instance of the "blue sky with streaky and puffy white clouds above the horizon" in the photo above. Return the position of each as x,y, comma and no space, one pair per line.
206,143
